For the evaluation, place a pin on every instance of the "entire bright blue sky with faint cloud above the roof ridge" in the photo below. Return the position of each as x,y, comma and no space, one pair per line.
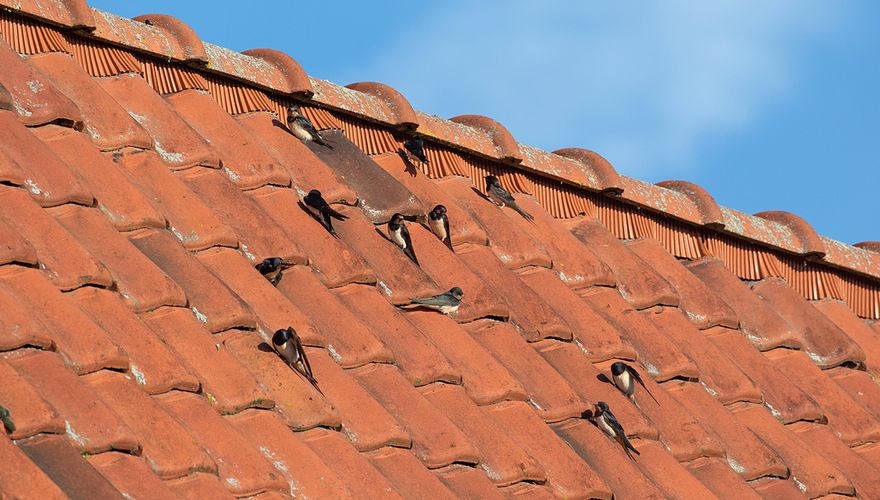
767,105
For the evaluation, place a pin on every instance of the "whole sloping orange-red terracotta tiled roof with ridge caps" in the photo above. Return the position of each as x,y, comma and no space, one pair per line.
144,174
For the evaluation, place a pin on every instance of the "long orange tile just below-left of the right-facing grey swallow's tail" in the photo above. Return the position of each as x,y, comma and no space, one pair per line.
414,354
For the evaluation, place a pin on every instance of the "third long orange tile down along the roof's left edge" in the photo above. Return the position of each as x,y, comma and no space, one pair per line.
63,259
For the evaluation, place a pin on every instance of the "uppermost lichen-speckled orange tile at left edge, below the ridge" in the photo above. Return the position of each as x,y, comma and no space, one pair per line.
35,104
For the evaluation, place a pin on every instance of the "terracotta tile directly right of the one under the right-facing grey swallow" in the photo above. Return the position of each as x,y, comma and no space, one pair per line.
530,312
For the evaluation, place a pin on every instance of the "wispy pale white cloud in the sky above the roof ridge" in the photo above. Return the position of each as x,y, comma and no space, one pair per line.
643,83
